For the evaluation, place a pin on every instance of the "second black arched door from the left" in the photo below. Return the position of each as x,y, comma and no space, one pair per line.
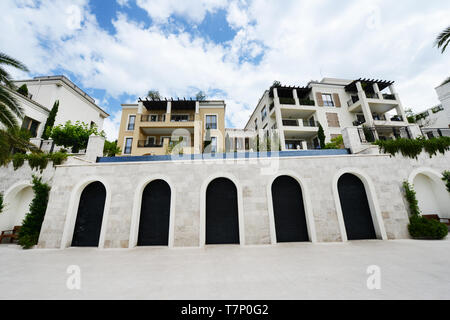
155,215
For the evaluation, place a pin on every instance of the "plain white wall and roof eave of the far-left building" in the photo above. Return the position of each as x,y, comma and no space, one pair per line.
74,104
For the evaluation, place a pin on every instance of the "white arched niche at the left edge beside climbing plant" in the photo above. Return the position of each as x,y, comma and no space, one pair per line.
16,206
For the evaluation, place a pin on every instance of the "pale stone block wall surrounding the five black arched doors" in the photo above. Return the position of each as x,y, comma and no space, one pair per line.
382,174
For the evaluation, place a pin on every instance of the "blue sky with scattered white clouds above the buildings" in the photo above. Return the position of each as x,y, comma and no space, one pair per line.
117,50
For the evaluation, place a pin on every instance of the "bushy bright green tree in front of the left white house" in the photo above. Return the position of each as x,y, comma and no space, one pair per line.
75,135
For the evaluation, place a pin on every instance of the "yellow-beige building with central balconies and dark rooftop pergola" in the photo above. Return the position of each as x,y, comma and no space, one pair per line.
154,127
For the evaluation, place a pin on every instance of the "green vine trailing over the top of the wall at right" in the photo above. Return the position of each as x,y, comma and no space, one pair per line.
413,147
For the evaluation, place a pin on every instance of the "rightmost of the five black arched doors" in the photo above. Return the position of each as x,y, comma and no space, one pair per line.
355,208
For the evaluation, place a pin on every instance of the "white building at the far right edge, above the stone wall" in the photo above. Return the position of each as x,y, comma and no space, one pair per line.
437,117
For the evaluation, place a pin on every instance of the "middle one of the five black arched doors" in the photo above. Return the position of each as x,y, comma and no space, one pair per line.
222,217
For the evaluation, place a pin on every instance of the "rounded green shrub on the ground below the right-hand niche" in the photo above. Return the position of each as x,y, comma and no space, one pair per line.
423,228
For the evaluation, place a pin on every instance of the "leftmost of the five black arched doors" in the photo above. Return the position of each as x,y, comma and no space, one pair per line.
89,216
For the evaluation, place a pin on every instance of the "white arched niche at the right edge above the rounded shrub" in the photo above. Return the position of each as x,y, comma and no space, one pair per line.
432,195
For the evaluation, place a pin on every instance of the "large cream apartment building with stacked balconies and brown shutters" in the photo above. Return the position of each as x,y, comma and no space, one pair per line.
295,112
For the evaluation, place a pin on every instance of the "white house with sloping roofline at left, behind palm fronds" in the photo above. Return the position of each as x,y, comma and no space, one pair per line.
74,103
